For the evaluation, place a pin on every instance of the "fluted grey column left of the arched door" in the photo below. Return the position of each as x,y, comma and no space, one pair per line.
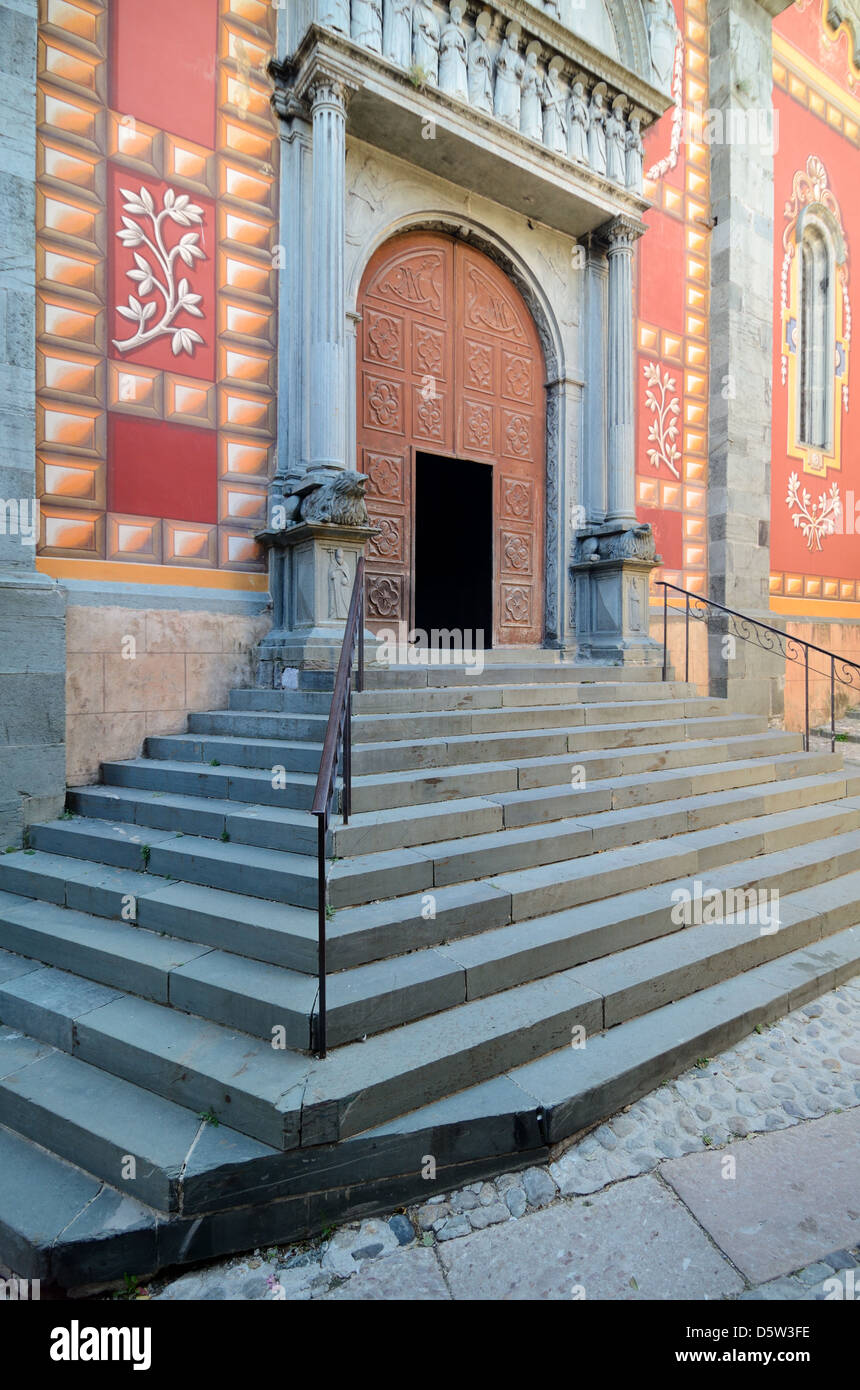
329,408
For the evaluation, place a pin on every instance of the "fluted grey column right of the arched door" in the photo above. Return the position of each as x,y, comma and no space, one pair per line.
622,236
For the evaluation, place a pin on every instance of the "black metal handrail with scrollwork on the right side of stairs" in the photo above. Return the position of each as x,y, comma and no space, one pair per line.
750,629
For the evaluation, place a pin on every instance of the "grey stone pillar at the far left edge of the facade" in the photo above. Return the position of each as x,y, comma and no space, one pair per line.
33,607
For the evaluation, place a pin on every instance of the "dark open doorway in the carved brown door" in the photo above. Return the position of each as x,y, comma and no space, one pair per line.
455,547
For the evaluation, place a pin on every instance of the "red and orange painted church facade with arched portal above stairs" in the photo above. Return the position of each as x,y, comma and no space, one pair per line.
568,287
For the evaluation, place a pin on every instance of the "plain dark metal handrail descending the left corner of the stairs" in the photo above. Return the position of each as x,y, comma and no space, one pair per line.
338,740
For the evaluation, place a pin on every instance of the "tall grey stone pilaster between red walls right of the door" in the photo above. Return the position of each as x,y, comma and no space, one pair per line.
741,351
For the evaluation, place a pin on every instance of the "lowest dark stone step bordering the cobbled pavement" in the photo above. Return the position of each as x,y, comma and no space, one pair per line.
558,1104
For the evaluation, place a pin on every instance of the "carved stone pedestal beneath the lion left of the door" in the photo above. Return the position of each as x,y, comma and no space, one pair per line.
312,575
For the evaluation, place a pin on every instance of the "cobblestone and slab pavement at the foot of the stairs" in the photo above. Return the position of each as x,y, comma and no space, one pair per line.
786,1075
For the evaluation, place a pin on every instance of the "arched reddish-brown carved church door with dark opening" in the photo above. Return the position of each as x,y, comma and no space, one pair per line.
451,429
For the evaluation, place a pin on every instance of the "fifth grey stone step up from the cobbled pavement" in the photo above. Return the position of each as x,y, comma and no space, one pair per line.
287,936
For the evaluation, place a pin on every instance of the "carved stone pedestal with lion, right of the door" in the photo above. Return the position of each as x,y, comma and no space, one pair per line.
612,572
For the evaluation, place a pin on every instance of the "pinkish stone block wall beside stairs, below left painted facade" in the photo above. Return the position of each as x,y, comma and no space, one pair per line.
134,672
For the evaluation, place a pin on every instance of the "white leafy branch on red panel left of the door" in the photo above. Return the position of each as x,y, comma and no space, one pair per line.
155,270
